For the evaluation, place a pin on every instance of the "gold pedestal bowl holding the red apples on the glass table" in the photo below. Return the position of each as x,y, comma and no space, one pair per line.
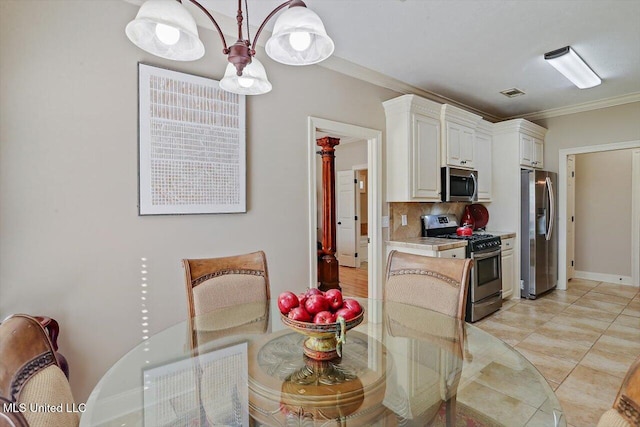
324,341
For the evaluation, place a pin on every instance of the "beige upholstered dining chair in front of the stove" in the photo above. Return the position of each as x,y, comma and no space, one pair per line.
439,285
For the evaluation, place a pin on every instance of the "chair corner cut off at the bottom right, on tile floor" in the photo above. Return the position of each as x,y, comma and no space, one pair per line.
626,408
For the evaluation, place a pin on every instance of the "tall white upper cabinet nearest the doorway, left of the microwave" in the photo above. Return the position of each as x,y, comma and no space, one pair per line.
413,149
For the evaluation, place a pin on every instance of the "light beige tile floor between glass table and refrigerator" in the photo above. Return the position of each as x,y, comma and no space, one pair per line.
582,340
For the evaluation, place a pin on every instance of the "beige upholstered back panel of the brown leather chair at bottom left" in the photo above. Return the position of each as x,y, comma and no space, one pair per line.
49,388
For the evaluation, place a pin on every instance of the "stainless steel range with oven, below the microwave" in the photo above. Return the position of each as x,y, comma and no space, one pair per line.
485,286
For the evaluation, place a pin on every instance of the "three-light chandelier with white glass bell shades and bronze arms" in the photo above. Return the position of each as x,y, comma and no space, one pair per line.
165,28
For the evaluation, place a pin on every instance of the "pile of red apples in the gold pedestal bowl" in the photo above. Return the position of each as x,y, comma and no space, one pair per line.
317,306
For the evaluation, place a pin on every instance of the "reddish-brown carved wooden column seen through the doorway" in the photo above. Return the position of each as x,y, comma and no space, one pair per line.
327,262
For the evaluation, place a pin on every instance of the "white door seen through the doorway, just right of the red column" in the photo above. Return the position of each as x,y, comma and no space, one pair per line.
346,239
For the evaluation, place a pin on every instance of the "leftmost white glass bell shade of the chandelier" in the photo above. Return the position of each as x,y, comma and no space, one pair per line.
165,28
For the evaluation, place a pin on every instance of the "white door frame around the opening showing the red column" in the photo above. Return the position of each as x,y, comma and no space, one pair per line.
322,127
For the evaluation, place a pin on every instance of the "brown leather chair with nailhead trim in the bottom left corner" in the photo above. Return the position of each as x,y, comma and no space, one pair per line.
31,374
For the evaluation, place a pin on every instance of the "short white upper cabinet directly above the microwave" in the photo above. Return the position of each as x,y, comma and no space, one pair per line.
458,137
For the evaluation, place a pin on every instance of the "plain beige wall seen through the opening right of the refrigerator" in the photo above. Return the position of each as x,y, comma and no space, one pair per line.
603,212
